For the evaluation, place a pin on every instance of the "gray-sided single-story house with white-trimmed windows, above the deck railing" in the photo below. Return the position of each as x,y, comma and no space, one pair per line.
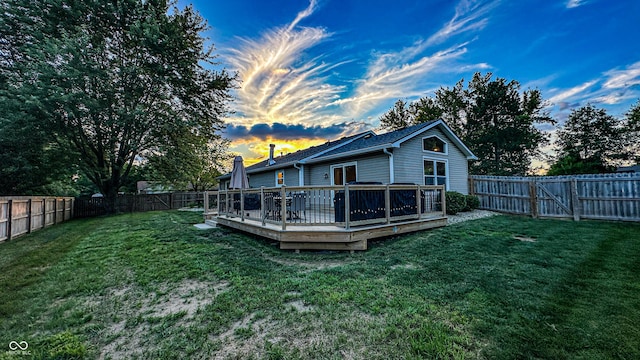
426,154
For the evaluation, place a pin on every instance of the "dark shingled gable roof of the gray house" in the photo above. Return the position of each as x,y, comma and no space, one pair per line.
356,144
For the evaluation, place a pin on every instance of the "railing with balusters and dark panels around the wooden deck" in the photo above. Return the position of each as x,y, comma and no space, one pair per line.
328,205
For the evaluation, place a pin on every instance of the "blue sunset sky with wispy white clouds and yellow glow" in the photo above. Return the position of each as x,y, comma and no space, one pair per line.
317,70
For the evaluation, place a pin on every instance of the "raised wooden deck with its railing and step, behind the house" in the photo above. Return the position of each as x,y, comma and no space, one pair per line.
314,225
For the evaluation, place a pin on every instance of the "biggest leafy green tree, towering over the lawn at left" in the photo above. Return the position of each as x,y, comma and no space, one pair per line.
112,81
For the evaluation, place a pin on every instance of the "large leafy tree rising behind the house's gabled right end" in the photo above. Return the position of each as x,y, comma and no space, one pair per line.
494,119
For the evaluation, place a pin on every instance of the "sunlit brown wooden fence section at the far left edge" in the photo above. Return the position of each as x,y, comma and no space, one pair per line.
23,214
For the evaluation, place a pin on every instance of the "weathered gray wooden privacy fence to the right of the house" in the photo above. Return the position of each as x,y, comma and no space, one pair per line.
602,196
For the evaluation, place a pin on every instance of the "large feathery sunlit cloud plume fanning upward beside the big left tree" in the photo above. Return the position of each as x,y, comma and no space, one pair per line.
279,82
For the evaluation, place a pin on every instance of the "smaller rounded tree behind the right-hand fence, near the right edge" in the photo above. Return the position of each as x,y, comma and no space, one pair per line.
592,136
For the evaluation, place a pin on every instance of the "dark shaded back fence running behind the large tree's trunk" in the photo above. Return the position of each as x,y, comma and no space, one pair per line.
96,206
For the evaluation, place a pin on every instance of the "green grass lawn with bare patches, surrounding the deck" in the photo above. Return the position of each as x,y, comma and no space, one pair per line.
152,286
